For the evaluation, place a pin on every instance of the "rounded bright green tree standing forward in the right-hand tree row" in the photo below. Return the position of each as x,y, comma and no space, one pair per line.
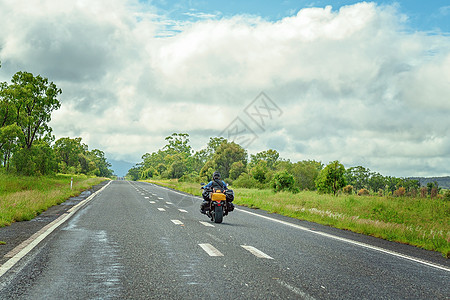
331,178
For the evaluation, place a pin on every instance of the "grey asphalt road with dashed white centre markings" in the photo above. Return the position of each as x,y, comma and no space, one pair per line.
139,241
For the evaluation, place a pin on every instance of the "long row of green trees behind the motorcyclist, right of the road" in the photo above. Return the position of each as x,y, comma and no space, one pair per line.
266,169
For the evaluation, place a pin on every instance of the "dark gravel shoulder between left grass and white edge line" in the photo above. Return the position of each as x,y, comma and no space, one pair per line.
18,232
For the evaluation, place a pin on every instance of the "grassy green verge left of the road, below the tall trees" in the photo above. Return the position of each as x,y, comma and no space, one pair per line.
22,198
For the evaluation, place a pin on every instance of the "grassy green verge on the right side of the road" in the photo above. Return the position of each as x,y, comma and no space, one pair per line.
421,222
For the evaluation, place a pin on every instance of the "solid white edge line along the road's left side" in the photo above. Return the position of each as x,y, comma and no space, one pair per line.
13,260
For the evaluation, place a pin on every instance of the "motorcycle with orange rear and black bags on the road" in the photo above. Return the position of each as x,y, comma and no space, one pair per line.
220,204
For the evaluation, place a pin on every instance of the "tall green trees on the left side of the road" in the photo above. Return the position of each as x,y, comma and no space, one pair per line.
27,146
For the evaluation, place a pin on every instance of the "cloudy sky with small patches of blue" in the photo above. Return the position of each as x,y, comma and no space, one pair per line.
364,83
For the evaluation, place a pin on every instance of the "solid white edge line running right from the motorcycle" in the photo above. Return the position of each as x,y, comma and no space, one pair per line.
351,241
